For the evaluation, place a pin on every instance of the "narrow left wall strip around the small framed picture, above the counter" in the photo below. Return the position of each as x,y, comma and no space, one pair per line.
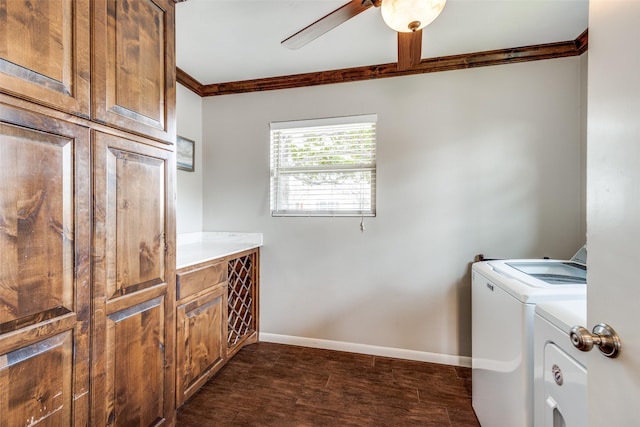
189,184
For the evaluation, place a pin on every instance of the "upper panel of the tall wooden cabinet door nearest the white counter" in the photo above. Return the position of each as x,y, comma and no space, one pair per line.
131,213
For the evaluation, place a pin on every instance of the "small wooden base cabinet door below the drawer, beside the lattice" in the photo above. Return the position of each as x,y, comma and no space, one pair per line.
201,340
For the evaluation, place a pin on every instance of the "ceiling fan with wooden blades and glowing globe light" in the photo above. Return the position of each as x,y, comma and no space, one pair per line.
407,17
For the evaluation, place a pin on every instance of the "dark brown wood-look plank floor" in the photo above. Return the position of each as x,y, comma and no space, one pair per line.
268,384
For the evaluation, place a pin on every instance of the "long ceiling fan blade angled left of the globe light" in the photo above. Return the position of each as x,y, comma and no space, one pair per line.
326,23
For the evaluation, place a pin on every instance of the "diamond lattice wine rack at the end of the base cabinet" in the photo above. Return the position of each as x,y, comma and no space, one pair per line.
242,301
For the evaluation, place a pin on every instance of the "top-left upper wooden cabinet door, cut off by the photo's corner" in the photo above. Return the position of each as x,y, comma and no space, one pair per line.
44,52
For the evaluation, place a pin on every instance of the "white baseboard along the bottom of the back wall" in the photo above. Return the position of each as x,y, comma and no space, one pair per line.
373,350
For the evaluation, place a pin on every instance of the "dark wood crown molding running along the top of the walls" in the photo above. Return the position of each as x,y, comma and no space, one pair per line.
431,65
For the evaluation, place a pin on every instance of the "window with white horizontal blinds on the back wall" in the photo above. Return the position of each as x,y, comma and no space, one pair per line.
324,167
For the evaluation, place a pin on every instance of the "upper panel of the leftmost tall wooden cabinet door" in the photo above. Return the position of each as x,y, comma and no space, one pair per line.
36,235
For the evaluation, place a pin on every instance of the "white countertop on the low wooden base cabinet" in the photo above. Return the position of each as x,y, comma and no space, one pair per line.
194,248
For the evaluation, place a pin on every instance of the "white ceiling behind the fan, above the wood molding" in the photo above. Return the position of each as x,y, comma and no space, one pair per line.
230,40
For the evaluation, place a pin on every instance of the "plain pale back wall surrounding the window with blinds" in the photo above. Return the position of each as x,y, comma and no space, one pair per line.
484,160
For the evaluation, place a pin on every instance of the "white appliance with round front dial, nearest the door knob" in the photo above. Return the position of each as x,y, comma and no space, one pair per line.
560,369
